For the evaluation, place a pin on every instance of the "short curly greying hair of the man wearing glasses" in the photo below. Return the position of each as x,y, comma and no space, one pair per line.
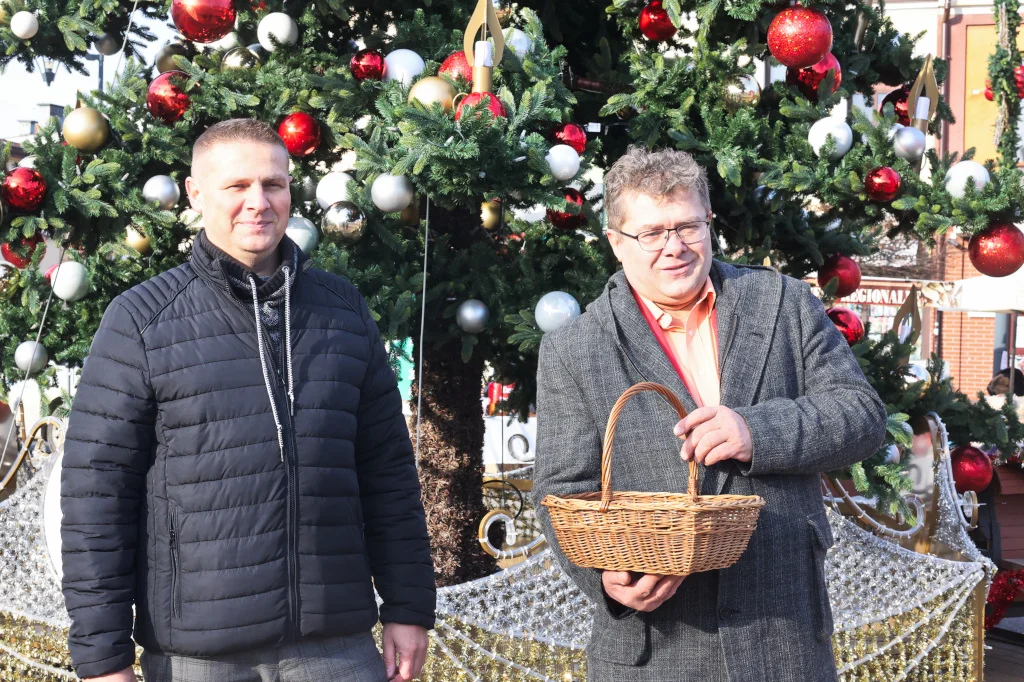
661,174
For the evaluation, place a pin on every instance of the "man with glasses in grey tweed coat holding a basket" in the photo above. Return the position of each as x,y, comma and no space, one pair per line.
784,401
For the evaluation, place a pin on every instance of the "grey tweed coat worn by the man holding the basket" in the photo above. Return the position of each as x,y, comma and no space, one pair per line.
792,376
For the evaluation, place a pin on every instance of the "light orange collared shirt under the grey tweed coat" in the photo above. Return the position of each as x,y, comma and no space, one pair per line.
693,336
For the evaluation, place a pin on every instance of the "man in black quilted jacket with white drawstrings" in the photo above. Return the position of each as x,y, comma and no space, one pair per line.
238,475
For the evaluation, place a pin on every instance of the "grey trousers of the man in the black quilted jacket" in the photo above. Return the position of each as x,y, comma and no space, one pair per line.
351,659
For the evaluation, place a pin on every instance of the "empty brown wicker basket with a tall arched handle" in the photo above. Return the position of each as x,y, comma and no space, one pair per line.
665,534
